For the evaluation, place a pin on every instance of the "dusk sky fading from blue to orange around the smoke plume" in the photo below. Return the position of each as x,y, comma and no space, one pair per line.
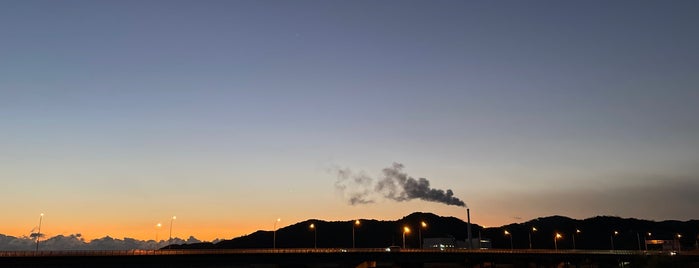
118,115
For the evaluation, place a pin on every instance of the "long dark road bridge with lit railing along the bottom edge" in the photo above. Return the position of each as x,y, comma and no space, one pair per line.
337,257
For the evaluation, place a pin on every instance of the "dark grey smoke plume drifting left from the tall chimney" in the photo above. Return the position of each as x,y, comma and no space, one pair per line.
395,185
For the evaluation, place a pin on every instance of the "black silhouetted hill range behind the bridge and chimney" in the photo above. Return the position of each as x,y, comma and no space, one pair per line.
595,233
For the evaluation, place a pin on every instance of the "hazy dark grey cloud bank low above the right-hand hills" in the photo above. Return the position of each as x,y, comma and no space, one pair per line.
647,197
